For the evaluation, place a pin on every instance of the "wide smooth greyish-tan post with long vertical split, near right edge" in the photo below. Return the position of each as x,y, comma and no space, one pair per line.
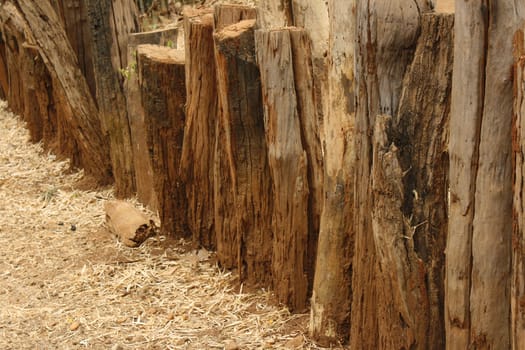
480,224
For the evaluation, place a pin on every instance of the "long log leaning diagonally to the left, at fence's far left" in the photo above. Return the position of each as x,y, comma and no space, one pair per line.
83,122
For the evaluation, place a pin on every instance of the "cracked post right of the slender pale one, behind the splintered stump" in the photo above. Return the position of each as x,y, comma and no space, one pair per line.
386,36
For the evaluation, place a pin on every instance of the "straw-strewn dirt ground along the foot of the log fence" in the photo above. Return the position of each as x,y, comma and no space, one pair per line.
65,283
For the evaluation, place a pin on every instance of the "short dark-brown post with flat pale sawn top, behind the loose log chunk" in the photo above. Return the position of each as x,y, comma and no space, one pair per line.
162,82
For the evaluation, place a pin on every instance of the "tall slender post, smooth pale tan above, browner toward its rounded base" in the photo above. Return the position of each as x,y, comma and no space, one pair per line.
331,296
